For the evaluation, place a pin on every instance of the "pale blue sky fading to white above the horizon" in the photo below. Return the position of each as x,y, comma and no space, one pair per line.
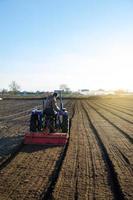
84,44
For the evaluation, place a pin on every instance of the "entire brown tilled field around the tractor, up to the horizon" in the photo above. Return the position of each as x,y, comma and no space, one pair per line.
96,163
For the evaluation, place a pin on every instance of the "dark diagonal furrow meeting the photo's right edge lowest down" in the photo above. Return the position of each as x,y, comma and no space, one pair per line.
130,139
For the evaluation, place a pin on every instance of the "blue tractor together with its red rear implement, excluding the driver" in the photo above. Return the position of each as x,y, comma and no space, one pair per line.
47,129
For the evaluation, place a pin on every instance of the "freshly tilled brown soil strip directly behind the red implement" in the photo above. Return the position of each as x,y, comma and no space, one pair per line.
36,165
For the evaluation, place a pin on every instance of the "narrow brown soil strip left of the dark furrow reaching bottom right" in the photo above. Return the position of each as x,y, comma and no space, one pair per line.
101,183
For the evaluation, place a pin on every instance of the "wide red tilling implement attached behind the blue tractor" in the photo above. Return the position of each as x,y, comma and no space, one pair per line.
46,138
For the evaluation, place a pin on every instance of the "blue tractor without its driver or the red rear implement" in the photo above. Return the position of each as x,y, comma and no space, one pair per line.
40,122
